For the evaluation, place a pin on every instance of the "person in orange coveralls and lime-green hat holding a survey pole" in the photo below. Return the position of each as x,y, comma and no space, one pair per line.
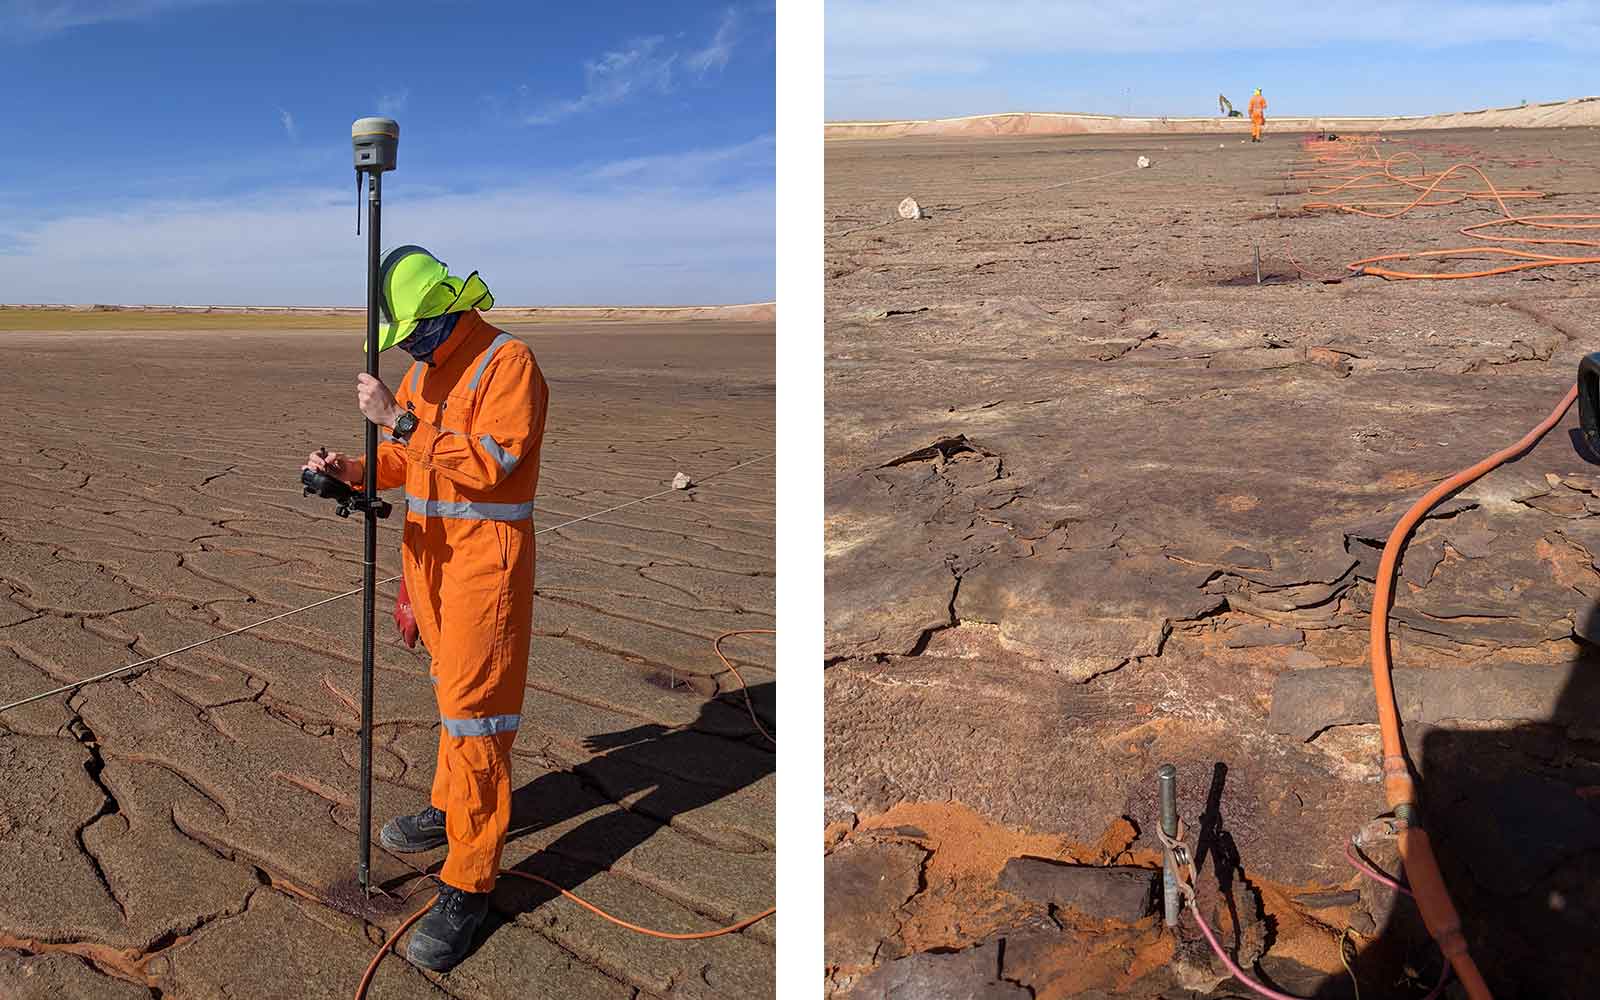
463,438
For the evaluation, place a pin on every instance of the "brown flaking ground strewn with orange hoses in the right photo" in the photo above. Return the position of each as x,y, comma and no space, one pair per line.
1095,505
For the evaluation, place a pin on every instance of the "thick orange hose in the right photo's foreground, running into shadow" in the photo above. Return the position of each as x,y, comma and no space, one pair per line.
1422,868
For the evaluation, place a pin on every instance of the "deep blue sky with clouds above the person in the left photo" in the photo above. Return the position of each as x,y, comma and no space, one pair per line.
199,151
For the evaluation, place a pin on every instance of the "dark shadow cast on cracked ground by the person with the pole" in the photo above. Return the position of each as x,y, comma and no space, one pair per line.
646,769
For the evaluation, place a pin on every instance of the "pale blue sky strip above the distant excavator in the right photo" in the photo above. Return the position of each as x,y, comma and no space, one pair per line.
938,58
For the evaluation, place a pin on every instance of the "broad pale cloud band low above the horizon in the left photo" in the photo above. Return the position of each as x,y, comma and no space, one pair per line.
558,241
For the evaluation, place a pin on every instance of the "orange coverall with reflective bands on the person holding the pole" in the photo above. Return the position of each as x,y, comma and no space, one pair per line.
471,471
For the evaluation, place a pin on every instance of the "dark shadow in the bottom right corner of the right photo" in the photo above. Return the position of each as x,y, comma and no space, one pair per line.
1514,817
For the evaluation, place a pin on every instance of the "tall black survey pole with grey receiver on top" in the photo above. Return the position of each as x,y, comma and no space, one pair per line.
375,143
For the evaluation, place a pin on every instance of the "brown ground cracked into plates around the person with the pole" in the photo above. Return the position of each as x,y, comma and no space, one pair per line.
182,833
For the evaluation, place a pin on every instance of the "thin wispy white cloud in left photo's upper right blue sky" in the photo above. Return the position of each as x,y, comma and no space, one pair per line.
642,66
